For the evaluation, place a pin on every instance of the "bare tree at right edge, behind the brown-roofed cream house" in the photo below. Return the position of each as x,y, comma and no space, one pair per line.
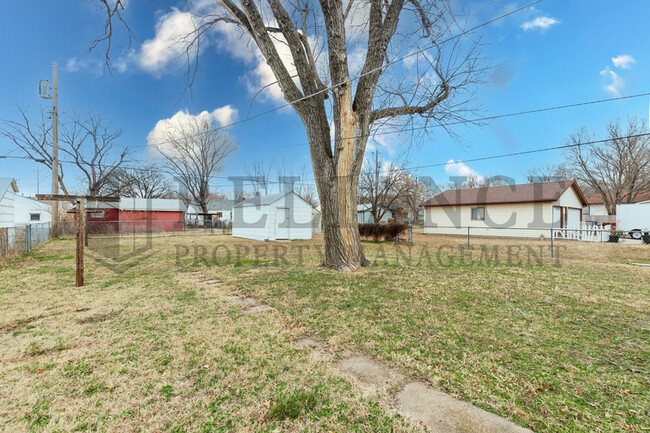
618,169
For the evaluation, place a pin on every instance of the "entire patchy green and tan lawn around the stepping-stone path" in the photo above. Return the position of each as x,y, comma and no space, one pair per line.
552,345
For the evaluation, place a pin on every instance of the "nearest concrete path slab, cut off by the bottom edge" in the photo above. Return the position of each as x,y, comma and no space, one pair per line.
442,413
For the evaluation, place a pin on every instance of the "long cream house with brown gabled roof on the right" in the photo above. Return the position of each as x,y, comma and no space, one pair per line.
527,210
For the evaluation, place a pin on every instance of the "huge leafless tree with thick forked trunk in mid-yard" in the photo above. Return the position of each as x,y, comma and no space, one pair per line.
336,74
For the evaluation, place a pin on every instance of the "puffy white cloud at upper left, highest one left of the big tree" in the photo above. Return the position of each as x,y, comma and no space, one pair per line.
168,46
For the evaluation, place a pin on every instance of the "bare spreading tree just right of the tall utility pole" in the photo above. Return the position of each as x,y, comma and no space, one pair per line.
90,144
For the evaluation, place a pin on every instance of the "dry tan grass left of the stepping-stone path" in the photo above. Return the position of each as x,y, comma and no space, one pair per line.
153,349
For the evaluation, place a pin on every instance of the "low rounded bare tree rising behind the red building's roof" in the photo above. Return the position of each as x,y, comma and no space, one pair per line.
140,182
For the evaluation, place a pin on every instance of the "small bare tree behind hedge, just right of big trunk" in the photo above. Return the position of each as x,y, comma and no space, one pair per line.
380,186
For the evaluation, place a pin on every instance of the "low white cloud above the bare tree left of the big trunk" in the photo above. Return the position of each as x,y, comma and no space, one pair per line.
181,123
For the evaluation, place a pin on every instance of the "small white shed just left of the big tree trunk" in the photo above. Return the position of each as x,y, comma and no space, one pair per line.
272,217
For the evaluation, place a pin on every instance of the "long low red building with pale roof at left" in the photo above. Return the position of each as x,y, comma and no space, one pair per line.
135,215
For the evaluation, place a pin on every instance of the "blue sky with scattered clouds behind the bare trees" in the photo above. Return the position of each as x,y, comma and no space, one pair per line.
557,53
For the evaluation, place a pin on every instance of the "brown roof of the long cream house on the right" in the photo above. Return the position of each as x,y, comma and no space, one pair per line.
524,193
